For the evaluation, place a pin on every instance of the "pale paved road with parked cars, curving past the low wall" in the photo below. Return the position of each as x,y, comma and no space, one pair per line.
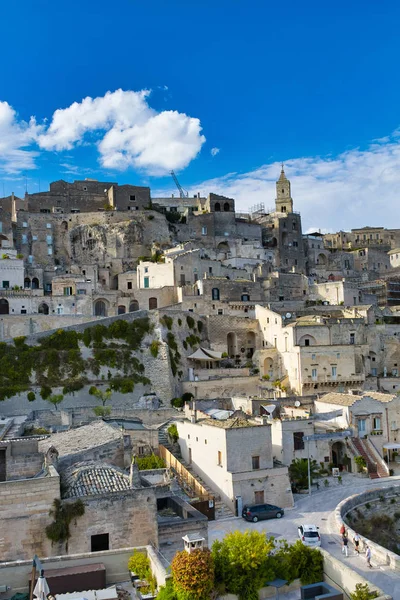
318,510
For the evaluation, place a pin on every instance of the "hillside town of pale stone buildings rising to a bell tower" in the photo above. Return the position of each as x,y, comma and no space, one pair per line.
174,371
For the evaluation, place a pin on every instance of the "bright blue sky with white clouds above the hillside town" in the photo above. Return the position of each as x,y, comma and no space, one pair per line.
233,88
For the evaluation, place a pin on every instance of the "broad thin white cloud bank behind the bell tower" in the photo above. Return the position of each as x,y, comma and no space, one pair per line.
353,189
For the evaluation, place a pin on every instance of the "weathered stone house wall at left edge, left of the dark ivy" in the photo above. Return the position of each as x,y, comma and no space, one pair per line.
25,506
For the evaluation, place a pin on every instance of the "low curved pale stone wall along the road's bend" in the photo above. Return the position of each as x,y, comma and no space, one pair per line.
378,552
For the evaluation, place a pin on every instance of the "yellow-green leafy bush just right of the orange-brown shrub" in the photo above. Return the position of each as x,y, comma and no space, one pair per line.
243,563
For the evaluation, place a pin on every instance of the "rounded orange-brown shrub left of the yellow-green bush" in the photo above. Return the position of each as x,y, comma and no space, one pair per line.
193,574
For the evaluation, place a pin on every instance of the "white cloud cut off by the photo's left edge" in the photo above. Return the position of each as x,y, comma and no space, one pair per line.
15,137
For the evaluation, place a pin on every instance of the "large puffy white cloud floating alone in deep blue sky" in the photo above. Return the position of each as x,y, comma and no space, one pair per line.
132,134
